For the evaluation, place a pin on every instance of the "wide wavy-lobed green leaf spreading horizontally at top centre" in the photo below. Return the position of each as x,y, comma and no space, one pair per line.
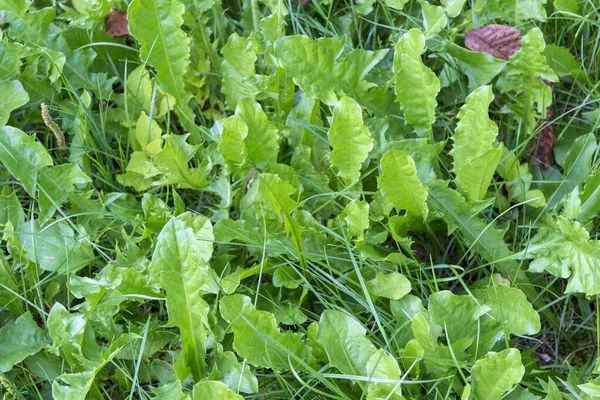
318,70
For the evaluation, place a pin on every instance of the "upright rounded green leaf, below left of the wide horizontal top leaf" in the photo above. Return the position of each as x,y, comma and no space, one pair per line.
262,140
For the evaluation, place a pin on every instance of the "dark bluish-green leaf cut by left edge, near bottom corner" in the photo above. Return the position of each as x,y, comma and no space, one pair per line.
19,340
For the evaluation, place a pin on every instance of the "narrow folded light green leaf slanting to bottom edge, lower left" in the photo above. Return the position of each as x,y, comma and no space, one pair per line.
77,385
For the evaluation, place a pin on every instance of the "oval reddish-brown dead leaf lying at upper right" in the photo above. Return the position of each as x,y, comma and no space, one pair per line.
501,41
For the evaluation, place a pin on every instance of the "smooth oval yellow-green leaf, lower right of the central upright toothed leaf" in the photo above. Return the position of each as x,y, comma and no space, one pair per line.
400,184
